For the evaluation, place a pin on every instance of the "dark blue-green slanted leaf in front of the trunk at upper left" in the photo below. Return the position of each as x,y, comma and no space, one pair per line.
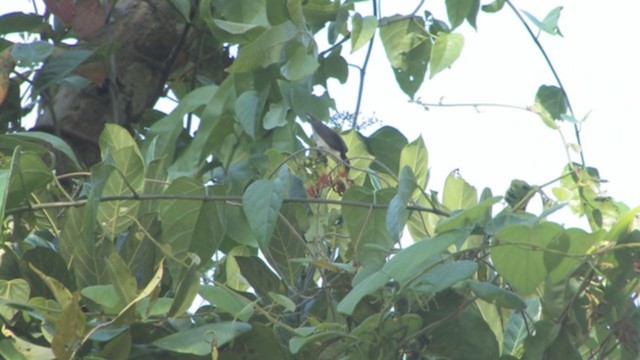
59,66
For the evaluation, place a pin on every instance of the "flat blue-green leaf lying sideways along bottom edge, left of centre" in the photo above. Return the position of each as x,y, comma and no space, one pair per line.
201,340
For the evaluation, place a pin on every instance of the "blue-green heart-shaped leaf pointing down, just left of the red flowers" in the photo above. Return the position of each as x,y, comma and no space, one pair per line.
261,204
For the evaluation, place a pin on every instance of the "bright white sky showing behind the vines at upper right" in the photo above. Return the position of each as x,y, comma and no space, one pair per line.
597,60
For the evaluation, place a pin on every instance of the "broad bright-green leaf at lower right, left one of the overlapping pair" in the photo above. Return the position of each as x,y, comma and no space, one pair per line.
518,254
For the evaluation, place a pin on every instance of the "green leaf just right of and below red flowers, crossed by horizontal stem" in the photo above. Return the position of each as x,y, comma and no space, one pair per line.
367,229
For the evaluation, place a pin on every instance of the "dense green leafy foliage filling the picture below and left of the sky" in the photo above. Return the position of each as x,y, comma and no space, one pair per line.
219,230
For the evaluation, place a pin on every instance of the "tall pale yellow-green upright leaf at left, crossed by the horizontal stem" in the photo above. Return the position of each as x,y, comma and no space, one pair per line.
128,179
